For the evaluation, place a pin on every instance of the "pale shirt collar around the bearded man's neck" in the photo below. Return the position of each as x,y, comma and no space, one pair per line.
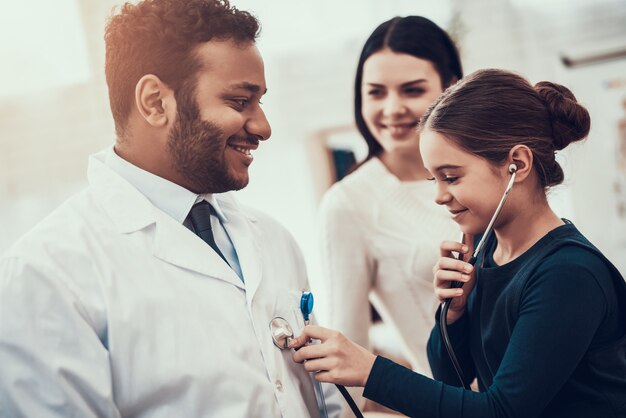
174,200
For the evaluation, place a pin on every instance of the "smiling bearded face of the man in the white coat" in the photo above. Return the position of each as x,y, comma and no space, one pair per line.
219,119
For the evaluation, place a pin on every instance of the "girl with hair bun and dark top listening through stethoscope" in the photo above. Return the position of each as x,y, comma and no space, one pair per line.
540,321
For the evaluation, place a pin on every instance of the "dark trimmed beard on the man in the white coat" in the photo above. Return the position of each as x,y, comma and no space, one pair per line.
197,149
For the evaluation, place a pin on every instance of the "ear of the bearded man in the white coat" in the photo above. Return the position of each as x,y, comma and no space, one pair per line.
155,101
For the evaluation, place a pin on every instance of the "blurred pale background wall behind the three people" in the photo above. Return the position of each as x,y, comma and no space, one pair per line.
54,107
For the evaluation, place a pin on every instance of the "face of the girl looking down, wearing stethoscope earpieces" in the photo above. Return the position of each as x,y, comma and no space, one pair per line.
468,185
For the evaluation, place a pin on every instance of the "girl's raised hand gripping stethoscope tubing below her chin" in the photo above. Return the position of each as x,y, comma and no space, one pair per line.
450,269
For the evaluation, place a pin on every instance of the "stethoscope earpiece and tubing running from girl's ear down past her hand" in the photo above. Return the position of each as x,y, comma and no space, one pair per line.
445,306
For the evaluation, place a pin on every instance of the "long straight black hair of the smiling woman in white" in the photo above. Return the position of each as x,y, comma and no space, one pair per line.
413,35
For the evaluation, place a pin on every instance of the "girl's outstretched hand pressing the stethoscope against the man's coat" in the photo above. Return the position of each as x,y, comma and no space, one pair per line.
336,360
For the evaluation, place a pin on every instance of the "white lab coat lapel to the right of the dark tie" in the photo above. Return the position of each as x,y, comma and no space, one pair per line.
246,238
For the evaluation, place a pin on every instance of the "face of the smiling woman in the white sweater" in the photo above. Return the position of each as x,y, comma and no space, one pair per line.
396,90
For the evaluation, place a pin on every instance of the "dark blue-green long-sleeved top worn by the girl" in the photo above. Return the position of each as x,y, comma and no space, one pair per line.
530,360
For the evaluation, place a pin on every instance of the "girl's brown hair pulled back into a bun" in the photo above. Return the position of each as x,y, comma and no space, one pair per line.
490,111
